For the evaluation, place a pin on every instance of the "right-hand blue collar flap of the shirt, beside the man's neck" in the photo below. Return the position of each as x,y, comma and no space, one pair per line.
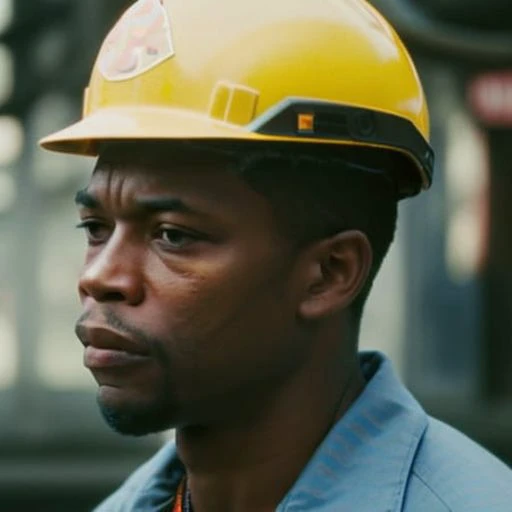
364,462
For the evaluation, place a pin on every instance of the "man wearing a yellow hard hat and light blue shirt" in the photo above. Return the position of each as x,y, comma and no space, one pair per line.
251,156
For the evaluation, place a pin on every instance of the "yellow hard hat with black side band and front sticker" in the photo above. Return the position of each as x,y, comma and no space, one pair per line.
297,71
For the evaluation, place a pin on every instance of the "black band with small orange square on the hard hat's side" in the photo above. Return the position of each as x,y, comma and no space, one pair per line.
298,117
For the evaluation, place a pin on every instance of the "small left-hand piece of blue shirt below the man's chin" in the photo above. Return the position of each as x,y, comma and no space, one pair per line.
148,487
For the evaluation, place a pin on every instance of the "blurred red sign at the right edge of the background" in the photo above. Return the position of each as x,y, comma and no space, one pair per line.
490,97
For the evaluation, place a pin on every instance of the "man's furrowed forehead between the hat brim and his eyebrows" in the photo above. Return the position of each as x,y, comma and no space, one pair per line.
203,181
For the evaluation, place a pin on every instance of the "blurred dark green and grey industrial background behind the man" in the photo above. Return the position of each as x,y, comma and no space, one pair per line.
441,308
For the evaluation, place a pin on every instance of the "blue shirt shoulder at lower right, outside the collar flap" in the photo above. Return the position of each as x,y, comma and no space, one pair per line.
451,473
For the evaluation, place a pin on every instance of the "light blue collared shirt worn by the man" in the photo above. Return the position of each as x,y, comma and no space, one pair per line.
384,455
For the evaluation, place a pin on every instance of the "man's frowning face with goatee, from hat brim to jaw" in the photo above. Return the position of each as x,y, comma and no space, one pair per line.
188,291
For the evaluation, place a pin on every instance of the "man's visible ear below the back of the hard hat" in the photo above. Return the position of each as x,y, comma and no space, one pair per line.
337,269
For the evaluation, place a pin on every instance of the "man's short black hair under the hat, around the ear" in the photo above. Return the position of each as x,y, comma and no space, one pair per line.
317,194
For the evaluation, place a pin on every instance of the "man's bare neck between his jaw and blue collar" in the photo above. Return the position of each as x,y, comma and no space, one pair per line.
251,467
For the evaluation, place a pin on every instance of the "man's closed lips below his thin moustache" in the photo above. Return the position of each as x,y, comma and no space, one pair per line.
106,347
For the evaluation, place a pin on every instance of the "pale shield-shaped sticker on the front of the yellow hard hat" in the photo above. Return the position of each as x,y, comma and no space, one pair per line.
140,41
